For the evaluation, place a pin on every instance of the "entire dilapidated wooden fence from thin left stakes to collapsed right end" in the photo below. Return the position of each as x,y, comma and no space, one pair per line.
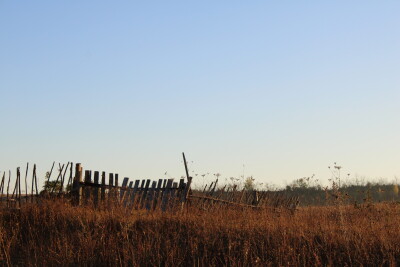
91,188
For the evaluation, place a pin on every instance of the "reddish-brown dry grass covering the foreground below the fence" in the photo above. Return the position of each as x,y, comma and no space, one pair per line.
55,233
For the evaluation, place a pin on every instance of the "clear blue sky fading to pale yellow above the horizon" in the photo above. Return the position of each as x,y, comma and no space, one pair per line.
277,90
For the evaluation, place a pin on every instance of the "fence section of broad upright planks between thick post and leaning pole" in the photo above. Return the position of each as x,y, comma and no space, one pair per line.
164,194
